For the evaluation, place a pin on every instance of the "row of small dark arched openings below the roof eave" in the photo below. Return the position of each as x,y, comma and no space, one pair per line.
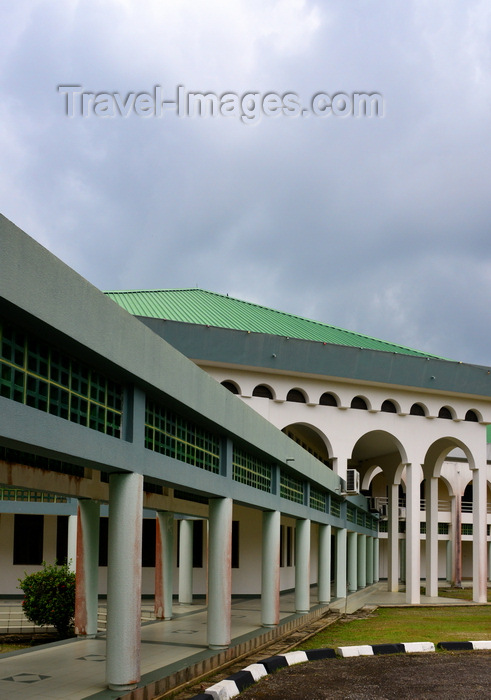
358,402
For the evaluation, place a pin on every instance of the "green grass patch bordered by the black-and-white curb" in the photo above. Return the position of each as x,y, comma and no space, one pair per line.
393,625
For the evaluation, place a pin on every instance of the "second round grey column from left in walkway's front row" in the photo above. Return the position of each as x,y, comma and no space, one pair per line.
220,573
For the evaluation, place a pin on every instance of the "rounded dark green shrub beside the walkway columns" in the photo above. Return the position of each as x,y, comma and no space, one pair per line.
50,598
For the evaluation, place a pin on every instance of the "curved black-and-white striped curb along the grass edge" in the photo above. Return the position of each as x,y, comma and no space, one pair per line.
237,682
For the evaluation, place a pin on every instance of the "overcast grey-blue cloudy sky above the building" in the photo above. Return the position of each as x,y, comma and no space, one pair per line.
376,224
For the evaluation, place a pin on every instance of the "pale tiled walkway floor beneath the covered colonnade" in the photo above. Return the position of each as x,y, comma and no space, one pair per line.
75,669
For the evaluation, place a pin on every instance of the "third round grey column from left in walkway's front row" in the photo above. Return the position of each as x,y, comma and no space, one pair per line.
270,571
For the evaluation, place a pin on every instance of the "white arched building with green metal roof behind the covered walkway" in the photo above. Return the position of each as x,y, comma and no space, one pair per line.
404,420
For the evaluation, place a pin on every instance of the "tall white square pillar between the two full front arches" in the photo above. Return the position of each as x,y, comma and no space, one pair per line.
413,532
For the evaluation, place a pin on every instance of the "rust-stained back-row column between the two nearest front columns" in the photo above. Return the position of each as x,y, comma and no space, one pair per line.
164,566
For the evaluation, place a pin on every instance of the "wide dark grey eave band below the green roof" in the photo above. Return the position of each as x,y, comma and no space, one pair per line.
278,353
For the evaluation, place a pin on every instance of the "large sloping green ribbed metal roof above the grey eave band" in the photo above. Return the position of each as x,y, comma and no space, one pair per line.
210,309
